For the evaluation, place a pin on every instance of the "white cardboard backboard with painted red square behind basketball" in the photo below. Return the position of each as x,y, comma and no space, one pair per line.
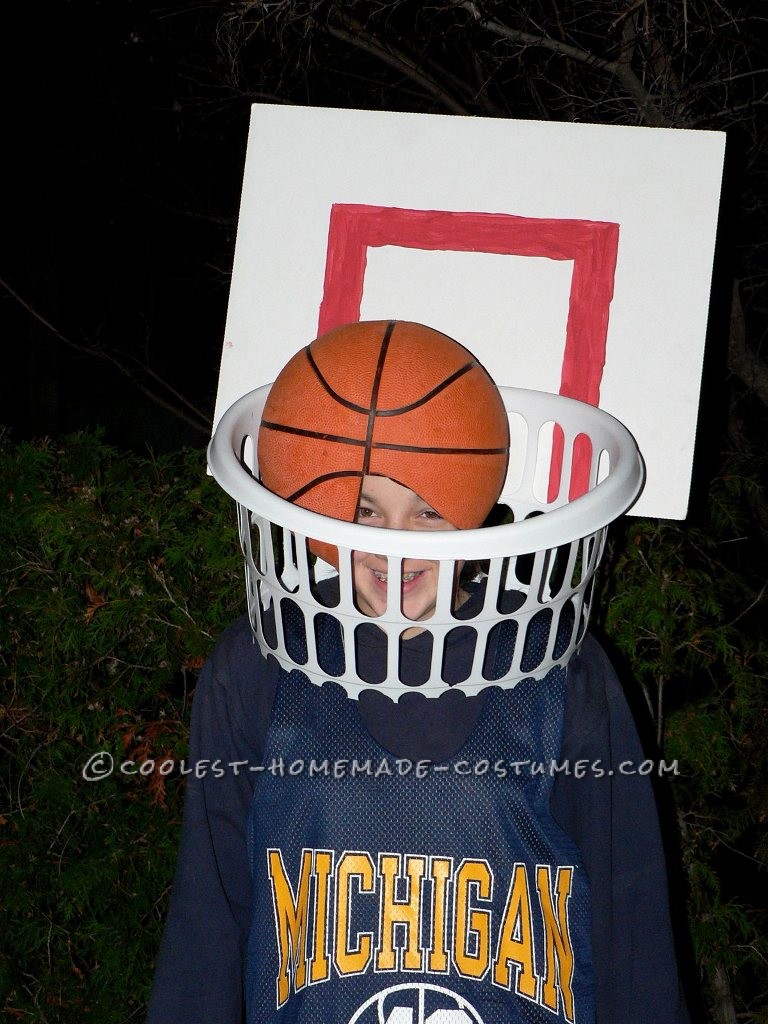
570,259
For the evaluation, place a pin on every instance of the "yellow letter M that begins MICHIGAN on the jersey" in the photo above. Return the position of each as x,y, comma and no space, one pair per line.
291,921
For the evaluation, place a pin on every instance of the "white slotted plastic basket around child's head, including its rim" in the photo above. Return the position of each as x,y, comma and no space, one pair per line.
574,470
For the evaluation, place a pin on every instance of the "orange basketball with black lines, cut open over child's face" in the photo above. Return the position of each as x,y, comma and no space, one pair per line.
391,399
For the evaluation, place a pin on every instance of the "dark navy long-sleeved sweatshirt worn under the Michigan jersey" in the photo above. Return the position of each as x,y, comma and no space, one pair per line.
611,817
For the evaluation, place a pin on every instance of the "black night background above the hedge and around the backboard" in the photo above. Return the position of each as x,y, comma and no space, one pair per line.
125,137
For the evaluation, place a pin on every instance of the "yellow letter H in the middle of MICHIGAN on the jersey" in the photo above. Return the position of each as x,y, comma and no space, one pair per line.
400,913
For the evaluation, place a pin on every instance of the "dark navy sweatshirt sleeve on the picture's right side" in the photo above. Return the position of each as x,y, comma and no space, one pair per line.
613,819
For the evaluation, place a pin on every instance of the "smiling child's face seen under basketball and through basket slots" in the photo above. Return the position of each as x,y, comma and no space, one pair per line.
390,505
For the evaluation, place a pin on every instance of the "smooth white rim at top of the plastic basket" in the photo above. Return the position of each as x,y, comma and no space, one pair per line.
585,516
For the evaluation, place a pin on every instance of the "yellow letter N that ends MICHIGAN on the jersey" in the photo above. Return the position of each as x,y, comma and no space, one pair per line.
559,948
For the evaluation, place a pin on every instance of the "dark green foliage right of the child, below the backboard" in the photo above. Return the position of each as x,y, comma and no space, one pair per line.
686,607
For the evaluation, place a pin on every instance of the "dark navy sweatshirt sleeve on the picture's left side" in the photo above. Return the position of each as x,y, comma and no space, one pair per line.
199,970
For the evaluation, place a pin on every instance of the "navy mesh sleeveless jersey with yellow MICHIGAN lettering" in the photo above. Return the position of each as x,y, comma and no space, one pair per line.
436,894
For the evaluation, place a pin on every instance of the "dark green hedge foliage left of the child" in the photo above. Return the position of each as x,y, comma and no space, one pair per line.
118,572
